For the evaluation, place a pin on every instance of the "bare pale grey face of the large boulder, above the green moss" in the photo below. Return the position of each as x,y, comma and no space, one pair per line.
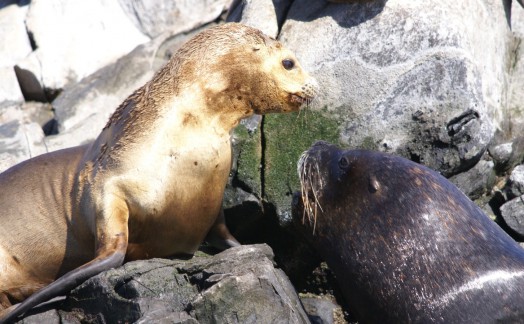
415,93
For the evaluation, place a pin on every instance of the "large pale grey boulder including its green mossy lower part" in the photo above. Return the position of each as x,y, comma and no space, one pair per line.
413,79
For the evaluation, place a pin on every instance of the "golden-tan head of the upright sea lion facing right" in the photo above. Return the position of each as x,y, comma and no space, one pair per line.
242,69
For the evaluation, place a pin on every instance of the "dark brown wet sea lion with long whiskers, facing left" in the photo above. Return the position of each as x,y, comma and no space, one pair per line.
404,243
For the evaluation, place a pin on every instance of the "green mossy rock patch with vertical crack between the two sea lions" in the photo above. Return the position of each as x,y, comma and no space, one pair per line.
266,155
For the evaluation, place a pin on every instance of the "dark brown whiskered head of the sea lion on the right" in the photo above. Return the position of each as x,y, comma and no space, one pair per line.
350,183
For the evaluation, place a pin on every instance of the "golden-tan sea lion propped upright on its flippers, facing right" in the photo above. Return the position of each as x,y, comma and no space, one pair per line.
151,184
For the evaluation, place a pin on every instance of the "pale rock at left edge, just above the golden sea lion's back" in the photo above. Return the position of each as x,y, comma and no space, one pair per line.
20,138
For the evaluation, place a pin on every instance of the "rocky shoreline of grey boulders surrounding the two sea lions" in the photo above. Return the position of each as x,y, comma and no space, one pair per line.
439,82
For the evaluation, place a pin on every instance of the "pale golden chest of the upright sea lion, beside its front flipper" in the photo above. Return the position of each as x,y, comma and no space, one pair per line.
176,193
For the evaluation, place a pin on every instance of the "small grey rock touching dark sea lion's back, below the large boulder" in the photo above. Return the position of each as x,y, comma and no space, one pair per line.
477,181
